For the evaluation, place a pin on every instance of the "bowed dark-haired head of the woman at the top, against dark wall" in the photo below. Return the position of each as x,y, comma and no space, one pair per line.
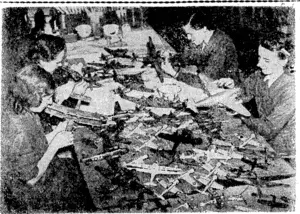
198,27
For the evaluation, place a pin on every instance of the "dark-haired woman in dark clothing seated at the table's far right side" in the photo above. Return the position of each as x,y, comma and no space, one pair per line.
210,49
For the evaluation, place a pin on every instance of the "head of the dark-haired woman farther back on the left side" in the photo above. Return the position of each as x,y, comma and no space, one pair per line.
48,51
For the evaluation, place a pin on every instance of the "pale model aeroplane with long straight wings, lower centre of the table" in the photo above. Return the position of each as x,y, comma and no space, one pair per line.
153,169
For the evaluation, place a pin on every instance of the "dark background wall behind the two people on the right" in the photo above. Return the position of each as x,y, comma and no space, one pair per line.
245,25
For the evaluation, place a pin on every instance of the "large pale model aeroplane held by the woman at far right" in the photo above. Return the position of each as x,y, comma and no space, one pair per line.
227,99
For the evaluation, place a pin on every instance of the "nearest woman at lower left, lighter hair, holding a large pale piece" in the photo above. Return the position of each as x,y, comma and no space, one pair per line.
33,178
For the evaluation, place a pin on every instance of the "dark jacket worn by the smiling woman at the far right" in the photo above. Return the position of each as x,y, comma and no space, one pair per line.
276,109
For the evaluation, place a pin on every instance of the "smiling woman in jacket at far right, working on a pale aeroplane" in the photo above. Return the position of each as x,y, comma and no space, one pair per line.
273,88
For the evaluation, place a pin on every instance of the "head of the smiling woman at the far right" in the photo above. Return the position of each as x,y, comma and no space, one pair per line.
273,55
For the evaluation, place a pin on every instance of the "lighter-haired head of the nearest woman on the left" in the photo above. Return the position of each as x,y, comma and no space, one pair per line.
32,89
